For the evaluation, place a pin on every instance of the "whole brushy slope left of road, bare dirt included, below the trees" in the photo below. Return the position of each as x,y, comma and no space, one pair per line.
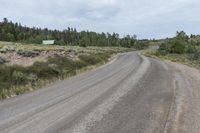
59,63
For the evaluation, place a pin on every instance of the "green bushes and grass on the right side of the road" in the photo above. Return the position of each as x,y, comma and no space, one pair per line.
182,48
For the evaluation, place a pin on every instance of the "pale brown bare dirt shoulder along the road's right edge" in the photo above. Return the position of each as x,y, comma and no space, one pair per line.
185,113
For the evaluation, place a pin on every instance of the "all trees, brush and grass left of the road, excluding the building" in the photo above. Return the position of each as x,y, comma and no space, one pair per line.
26,64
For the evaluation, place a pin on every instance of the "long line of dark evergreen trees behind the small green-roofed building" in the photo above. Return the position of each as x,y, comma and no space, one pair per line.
15,32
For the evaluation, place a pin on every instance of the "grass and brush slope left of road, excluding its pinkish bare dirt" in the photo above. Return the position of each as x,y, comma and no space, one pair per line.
15,79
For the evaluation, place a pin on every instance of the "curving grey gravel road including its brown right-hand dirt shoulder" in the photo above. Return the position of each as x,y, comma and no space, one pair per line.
131,94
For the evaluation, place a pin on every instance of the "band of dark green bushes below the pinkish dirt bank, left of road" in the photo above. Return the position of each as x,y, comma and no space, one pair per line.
55,67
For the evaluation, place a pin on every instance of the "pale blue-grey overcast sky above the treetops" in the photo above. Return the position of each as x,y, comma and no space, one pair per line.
145,18
